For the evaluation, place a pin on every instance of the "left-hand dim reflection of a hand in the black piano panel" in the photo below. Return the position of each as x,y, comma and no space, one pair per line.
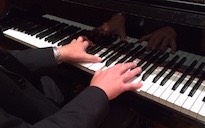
115,26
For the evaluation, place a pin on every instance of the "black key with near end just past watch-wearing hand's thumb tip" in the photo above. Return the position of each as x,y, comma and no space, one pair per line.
127,47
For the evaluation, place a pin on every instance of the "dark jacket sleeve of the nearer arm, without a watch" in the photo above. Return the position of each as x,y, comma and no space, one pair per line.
87,110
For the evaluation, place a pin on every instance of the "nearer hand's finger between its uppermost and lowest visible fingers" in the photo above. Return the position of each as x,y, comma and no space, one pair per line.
127,76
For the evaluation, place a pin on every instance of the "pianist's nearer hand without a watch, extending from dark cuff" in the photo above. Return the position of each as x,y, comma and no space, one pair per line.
115,80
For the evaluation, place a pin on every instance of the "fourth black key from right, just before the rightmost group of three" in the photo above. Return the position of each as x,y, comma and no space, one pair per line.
177,66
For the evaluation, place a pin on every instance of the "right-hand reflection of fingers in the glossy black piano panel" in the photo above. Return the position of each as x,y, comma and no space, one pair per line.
162,39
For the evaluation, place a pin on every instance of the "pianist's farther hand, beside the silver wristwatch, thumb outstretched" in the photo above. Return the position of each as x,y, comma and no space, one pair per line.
76,51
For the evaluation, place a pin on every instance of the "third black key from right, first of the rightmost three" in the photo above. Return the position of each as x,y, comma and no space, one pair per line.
188,70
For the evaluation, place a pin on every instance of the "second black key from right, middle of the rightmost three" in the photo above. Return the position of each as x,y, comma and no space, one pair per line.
196,73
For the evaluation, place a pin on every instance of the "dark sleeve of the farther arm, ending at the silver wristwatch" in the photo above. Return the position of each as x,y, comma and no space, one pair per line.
35,59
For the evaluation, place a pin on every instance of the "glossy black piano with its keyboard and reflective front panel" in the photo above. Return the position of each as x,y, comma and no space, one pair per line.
174,84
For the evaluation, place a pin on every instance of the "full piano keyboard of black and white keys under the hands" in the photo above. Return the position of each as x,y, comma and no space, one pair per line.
173,80
